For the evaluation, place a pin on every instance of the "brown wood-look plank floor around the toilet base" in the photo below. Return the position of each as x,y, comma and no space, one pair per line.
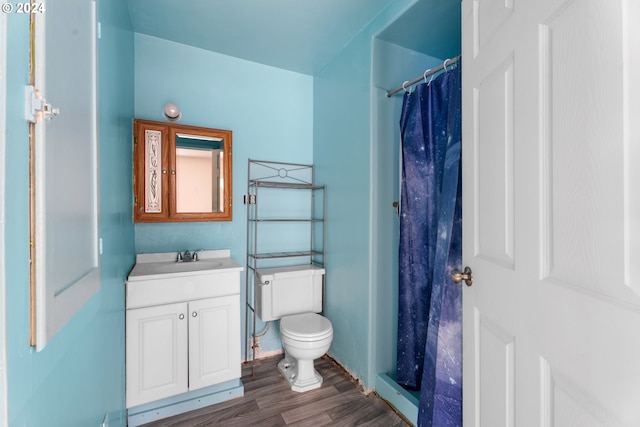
268,401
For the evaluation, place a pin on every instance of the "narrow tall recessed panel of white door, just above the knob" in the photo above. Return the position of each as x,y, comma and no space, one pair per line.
493,141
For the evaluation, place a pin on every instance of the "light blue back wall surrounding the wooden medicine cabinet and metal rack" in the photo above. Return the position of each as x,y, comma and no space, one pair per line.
269,110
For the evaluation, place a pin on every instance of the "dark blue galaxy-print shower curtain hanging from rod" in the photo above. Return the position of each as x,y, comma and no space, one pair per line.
430,304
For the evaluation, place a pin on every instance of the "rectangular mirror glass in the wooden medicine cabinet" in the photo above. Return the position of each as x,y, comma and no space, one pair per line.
199,173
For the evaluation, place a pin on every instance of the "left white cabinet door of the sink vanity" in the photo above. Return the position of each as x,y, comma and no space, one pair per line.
157,352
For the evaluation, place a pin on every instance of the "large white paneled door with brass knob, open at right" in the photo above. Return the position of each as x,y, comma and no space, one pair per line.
551,187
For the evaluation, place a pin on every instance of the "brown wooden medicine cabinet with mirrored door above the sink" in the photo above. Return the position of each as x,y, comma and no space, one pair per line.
181,173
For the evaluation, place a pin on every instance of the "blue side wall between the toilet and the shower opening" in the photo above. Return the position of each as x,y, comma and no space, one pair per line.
345,158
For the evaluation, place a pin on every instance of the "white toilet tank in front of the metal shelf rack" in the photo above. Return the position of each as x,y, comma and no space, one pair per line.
282,291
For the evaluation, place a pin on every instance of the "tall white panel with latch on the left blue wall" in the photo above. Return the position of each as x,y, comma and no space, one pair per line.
66,169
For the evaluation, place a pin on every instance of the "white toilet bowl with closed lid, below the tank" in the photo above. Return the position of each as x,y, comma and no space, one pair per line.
305,337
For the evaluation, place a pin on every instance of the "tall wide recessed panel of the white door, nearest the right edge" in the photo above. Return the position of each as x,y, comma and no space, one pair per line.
583,189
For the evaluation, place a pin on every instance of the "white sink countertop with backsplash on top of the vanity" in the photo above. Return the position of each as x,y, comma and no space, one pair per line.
156,266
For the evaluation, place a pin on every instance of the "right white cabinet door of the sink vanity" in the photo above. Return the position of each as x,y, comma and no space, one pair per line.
214,341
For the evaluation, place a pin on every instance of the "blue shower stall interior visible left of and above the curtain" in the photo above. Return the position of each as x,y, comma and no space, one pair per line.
395,61
